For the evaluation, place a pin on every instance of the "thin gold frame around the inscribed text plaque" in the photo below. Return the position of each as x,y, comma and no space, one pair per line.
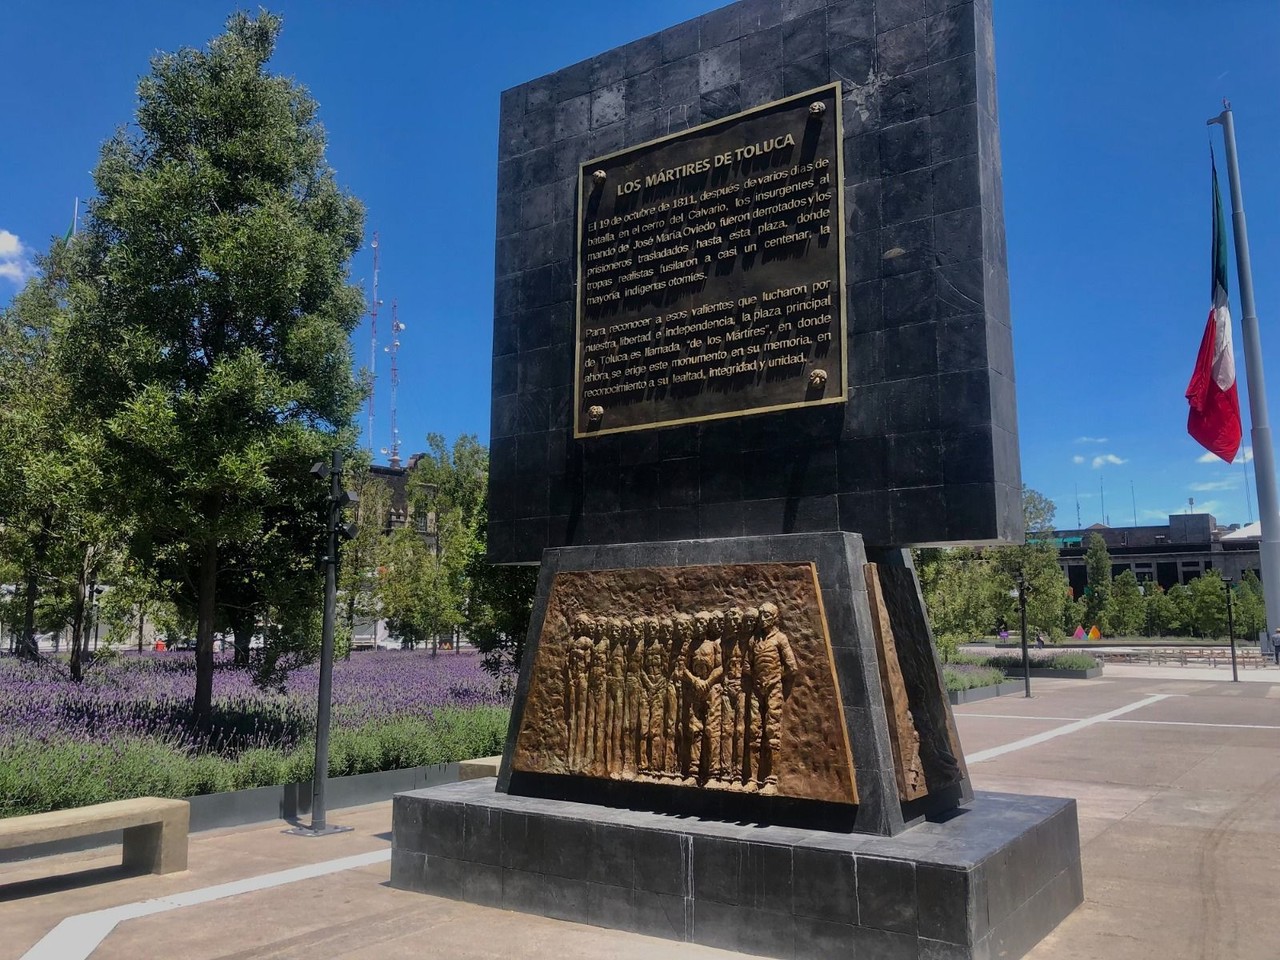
843,321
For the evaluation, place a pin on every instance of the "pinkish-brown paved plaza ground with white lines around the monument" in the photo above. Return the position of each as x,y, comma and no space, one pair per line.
1177,775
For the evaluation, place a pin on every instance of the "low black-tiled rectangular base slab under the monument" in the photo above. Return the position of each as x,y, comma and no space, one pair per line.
989,883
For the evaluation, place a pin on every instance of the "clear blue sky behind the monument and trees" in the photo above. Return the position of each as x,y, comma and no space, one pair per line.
1107,194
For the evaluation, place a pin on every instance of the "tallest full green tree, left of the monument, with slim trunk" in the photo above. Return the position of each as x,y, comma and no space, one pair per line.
209,310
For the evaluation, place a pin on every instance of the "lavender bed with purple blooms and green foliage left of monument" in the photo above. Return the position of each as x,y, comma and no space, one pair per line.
127,729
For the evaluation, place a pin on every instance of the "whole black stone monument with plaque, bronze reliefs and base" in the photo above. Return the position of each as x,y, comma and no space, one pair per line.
752,344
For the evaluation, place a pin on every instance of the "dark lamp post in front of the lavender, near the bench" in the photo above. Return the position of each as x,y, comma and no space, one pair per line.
339,499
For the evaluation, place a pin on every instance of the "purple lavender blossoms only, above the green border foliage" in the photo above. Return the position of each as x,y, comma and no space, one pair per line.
149,697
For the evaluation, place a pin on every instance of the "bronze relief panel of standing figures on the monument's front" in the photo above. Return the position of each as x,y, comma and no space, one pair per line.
714,678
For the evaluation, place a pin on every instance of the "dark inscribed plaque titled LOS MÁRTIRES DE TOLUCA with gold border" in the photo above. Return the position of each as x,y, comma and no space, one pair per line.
711,272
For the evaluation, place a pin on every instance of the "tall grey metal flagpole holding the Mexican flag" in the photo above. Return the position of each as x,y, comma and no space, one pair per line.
1260,426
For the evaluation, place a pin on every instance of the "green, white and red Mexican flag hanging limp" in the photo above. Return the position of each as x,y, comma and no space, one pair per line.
1214,419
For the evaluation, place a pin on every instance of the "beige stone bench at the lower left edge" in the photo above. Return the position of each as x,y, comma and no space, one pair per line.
156,830
